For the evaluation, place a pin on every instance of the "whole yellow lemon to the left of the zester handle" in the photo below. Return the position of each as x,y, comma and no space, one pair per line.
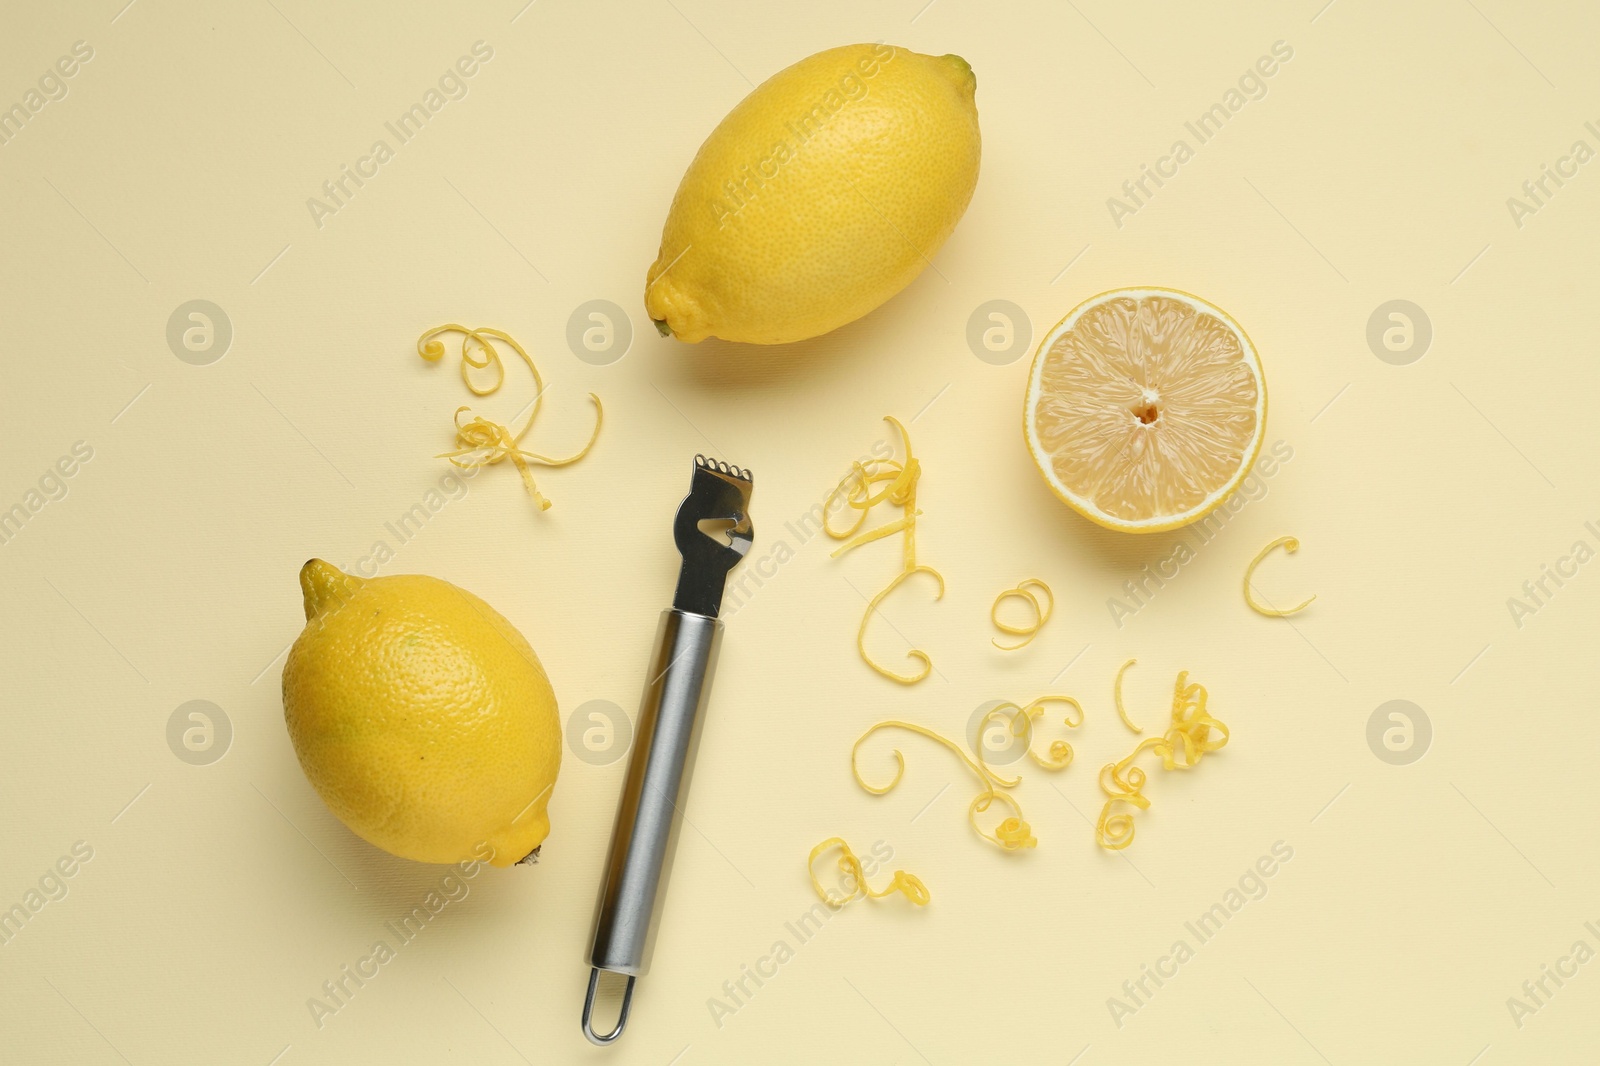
422,718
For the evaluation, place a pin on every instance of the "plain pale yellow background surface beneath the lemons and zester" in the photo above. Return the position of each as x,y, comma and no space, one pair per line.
222,897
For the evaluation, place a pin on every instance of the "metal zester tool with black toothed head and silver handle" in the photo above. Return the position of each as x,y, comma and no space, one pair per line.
713,532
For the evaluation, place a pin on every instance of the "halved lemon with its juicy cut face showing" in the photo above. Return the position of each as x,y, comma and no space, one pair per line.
1145,409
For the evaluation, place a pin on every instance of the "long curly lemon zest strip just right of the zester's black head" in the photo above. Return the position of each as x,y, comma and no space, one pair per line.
866,486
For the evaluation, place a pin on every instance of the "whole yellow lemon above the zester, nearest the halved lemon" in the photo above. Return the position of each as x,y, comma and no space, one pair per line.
825,193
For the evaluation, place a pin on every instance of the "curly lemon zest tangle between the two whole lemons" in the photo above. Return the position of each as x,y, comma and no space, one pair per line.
484,443
